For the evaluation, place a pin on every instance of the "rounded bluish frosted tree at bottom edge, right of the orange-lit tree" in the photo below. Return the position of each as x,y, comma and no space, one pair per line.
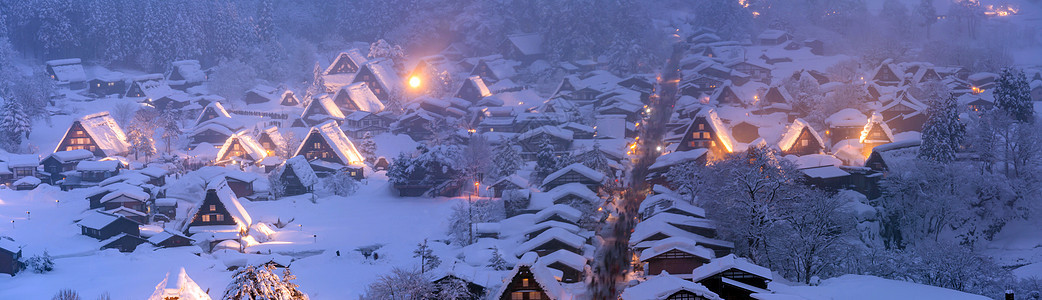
400,285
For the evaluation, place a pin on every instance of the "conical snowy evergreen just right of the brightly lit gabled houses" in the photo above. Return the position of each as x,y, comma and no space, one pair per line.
942,134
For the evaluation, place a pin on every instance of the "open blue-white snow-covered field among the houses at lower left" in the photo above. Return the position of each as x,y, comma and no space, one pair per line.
320,230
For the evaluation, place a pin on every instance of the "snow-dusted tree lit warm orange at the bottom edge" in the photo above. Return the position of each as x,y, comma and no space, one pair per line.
262,284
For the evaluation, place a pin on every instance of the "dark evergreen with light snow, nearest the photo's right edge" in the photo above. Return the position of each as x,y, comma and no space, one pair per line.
1013,95
